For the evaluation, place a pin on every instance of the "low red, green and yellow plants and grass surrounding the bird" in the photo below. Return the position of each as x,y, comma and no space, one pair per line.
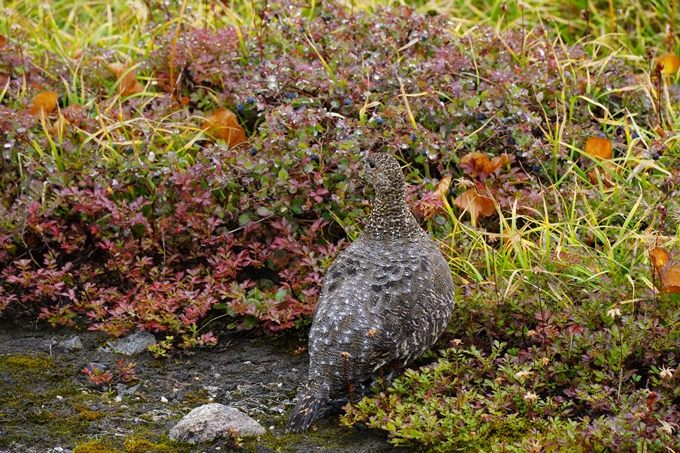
191,168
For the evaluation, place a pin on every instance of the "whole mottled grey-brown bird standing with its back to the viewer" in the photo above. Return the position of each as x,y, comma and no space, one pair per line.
385,299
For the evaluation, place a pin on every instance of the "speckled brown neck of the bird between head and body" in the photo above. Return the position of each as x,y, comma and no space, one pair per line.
391,217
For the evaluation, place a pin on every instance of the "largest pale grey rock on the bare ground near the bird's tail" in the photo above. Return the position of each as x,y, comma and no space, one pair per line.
207,422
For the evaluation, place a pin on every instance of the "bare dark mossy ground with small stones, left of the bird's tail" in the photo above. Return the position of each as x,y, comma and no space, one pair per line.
47,404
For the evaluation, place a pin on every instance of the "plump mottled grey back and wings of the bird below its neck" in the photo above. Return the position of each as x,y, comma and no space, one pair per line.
380,305
